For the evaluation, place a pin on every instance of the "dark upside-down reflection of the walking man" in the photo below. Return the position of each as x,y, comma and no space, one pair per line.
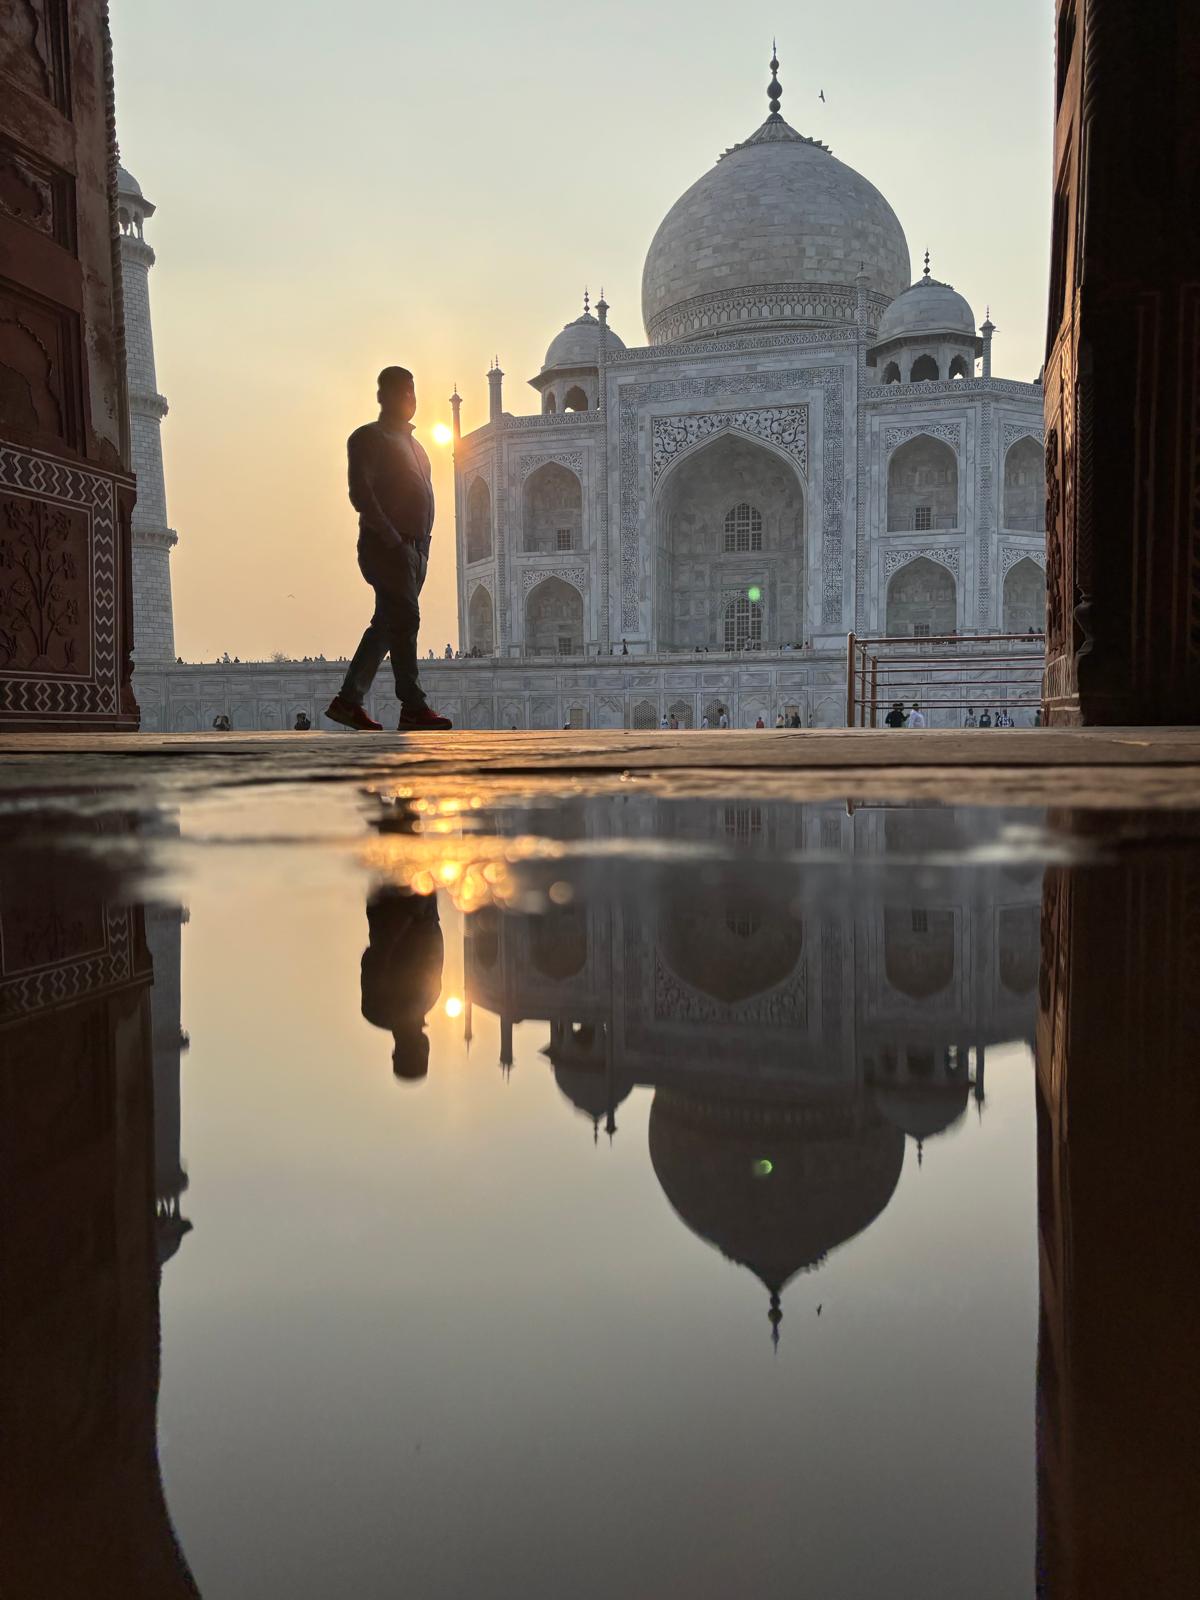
402,974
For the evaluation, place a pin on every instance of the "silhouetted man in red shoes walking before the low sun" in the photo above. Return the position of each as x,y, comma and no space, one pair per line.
393,492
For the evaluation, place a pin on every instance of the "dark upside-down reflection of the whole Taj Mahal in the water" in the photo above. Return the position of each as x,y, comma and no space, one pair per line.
793,1044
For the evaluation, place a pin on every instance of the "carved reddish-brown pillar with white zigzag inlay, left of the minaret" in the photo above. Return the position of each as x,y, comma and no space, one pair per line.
66,492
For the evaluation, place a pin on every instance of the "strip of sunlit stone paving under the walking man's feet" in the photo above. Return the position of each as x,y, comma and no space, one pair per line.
1038,767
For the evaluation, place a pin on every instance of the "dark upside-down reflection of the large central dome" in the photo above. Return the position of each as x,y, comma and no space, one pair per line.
833,1172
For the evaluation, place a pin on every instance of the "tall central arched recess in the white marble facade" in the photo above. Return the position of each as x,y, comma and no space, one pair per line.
730,516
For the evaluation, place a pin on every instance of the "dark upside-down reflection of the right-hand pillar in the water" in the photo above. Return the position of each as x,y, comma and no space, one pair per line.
1119,1222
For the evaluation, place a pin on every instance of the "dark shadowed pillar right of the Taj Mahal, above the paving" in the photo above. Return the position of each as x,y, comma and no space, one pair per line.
1122,377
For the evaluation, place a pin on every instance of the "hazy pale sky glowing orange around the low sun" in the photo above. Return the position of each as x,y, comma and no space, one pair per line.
348,186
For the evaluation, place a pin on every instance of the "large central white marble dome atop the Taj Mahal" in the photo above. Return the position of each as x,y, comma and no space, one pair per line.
775,233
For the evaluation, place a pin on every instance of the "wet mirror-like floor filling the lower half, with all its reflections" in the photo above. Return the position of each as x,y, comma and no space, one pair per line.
455,1193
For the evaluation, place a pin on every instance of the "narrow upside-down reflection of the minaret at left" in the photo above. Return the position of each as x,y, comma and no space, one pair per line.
170,1180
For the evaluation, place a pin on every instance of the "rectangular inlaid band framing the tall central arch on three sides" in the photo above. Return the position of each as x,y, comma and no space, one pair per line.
633,401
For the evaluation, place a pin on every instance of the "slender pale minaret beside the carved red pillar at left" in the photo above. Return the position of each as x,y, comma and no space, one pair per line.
153,538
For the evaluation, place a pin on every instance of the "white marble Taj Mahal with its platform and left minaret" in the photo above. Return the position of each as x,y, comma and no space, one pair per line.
809,444
